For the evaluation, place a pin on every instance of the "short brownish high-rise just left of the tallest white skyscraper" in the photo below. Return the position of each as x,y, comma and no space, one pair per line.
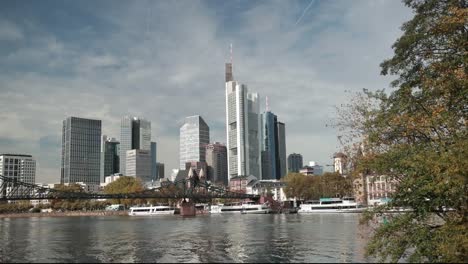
216,160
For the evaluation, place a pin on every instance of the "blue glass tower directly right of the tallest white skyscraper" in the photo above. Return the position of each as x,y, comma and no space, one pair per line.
273,147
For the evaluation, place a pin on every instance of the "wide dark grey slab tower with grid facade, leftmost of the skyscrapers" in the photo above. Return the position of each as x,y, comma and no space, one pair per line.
81,145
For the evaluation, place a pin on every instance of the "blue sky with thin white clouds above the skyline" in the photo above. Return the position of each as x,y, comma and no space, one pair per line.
164,60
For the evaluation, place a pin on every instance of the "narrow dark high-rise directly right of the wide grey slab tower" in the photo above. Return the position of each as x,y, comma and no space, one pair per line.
110,157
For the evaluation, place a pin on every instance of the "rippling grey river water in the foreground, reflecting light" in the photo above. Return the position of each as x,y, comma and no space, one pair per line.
204,238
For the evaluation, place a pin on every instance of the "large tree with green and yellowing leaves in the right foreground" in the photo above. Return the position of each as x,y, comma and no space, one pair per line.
416,134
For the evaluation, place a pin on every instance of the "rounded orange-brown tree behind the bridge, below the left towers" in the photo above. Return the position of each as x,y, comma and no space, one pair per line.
125,184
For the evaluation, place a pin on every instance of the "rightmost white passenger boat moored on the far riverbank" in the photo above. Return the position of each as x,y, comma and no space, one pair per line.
331,205
